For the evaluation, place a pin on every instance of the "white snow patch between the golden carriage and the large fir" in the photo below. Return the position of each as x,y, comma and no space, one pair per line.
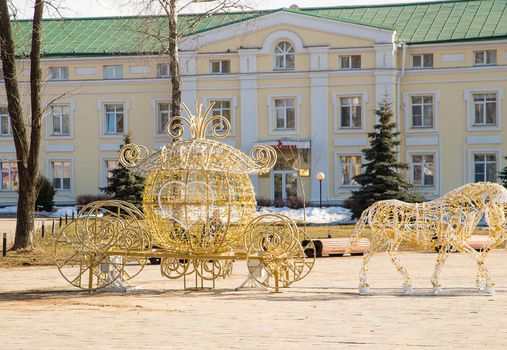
314,215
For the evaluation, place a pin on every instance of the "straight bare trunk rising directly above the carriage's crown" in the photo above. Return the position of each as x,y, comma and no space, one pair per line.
173,59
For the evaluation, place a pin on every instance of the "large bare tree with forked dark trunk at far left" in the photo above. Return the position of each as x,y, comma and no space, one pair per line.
26,131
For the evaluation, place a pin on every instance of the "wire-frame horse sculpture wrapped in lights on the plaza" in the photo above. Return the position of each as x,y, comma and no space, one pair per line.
444,224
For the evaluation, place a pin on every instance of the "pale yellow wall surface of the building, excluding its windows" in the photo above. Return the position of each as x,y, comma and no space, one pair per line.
453,141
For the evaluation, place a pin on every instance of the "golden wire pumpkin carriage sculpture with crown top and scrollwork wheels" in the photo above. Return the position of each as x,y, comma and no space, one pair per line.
198,217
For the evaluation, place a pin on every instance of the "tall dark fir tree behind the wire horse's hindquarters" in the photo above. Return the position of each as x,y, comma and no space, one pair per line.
382,176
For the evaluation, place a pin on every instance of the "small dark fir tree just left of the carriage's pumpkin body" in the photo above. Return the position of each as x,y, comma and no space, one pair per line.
124,184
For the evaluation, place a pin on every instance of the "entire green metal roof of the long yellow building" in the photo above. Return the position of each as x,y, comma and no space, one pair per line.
414,23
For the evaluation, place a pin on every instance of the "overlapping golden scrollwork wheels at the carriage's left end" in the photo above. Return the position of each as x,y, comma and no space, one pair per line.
85,249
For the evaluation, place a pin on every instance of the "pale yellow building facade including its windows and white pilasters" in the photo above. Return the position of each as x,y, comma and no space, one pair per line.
307,84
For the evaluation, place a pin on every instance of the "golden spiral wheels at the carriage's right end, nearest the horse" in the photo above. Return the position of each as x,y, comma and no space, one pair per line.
272,242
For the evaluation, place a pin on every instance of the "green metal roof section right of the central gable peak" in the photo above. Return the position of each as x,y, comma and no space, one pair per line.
429,21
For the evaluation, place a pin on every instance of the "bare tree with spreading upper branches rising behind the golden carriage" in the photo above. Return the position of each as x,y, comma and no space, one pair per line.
168,40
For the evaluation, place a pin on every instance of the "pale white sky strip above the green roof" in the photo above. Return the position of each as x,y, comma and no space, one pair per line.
95,8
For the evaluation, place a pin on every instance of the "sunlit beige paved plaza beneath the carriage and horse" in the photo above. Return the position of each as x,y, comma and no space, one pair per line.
38,310
